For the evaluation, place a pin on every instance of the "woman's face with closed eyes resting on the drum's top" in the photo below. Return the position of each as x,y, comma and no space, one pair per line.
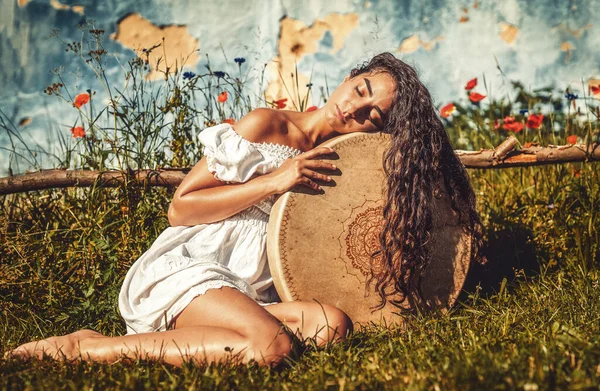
361,104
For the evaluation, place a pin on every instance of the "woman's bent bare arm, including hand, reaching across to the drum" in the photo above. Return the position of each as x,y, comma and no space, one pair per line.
203,199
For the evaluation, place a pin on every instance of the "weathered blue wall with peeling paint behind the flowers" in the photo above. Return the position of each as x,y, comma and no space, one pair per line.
538,42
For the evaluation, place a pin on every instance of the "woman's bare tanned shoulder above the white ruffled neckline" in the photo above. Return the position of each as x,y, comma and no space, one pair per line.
262,125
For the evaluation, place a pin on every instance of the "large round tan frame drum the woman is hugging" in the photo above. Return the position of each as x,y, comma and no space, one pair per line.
319,244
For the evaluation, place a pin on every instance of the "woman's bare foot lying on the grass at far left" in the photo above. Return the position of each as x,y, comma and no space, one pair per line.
61,348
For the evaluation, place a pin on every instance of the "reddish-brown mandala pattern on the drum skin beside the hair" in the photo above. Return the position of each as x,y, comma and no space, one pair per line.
362,240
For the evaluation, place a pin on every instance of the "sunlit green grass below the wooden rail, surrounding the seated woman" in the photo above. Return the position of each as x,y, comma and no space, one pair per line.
64,254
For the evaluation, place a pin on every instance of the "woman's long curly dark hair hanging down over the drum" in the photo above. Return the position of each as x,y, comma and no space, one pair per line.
419,156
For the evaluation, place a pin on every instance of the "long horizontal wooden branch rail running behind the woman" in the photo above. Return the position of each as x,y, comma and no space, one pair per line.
502,156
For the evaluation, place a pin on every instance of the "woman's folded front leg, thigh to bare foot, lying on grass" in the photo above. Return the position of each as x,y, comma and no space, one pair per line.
222,324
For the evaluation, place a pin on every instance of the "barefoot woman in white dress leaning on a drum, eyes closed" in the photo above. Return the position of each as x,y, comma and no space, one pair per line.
201,291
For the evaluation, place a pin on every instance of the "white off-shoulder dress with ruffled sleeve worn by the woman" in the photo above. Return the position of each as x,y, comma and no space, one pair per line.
187,261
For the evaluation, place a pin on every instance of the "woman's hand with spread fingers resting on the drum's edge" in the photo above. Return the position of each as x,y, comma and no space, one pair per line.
299,170
